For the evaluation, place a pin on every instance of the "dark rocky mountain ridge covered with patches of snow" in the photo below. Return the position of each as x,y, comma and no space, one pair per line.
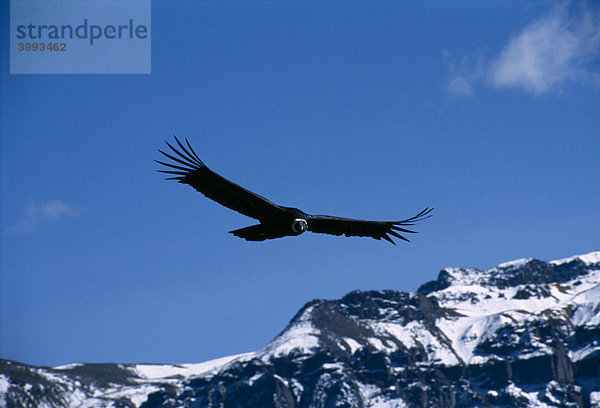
523,334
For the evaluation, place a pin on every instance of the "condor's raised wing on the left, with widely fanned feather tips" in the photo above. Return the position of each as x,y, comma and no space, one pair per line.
191,170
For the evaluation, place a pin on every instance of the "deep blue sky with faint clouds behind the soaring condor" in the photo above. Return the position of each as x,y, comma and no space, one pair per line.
487,111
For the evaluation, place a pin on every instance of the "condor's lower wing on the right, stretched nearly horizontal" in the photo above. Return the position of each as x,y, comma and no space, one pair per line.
326,224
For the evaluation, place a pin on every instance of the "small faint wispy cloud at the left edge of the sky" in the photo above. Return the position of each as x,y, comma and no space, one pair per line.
36,215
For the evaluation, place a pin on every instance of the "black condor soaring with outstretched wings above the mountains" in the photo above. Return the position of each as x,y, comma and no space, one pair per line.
275,221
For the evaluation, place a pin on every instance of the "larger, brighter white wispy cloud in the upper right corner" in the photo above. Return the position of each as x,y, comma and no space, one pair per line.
560,47
